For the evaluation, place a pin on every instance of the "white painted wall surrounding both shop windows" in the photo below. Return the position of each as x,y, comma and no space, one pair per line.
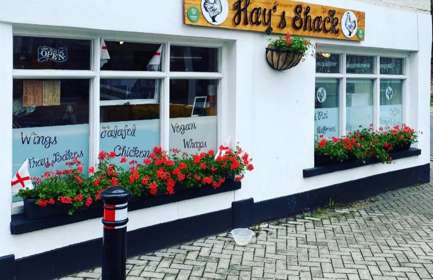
271,114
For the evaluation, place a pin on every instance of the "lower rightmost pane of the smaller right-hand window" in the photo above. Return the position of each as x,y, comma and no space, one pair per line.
391,103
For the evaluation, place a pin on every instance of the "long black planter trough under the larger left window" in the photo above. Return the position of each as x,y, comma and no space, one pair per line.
35,212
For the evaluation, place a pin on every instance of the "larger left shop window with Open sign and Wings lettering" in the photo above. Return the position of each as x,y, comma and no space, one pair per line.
137,105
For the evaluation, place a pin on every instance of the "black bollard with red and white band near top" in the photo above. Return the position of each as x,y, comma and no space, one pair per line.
114,240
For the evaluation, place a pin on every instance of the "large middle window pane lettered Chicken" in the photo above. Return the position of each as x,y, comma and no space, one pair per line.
131,130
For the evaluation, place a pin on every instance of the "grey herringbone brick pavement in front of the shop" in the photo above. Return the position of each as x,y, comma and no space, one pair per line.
388,237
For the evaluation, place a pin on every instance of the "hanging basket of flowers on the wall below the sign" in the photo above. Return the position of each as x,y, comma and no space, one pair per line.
286,51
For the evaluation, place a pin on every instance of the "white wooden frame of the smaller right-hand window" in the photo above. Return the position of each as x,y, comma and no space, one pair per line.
376,76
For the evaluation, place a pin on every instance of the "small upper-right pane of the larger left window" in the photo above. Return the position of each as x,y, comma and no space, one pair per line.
193,59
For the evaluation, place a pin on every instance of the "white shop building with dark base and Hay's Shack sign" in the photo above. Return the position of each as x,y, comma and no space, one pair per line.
190,76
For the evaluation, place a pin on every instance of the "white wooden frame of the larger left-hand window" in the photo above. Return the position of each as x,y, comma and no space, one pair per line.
95,74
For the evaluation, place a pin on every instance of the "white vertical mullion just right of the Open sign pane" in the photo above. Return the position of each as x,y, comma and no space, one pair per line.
94,114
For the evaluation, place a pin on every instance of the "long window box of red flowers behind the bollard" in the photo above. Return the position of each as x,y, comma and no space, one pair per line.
160,178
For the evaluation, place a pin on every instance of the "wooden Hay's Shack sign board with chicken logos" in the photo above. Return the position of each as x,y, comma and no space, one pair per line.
277,17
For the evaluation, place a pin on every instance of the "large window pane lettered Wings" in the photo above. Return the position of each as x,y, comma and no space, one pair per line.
50,123
